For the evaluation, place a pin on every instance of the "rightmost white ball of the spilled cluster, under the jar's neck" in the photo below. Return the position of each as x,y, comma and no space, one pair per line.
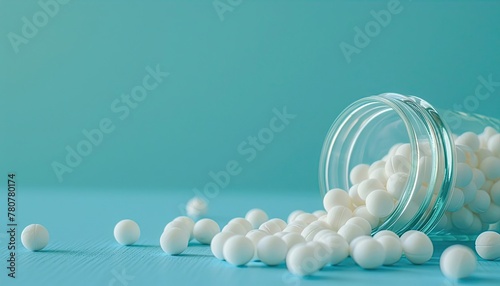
417,247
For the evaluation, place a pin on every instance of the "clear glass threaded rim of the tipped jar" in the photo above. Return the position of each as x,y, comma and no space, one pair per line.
420,119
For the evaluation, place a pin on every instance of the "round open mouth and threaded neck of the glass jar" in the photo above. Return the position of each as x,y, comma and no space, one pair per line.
386,120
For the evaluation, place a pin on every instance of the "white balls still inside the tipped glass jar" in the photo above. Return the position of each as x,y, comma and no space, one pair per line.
474,203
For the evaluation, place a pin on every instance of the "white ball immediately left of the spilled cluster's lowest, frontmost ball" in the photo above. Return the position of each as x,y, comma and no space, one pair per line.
271,250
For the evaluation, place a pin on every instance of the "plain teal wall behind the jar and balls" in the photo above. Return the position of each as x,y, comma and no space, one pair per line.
225,79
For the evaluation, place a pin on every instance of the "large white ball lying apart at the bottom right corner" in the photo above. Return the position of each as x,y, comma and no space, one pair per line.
457,261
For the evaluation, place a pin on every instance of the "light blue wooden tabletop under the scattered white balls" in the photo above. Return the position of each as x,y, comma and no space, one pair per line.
82,250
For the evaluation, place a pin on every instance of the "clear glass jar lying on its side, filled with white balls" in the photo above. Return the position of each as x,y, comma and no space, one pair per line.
432,190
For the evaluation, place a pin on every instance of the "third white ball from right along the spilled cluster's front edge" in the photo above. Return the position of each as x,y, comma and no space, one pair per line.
369,254
